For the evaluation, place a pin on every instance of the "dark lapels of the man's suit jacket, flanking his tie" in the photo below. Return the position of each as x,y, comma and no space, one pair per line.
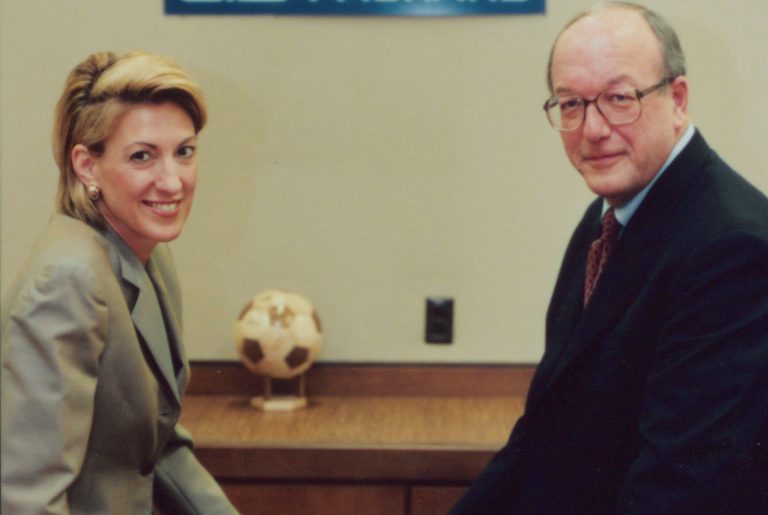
639,248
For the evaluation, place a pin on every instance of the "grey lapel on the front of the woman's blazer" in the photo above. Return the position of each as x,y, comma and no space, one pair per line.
146,313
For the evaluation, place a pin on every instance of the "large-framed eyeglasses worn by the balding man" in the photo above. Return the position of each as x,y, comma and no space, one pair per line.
618,107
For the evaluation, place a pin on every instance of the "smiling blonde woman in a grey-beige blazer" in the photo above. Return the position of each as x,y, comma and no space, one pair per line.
93,370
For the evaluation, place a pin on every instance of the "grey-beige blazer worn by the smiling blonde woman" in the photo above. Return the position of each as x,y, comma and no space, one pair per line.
93,372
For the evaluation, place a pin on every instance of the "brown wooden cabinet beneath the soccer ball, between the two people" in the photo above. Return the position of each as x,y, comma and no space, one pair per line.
395,444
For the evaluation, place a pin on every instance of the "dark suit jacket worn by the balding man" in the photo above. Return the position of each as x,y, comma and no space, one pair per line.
653,399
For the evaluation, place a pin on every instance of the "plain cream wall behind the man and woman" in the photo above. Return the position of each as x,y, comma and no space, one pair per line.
365,162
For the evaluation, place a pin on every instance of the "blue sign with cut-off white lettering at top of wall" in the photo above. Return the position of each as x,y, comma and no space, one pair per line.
357,7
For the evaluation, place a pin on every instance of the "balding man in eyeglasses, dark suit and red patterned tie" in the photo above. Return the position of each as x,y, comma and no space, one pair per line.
652,395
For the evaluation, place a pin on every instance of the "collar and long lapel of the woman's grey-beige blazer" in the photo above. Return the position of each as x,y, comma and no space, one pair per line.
148,303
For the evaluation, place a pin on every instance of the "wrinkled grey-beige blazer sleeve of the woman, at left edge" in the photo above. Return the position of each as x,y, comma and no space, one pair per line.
52,337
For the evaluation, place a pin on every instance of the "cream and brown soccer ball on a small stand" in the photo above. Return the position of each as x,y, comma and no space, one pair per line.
278,334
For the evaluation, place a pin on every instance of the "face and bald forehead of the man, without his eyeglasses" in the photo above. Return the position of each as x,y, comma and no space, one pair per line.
616,49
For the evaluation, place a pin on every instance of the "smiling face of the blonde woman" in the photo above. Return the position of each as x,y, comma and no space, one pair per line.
147,175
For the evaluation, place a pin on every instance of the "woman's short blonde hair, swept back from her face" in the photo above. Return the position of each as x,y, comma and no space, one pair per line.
96,93
